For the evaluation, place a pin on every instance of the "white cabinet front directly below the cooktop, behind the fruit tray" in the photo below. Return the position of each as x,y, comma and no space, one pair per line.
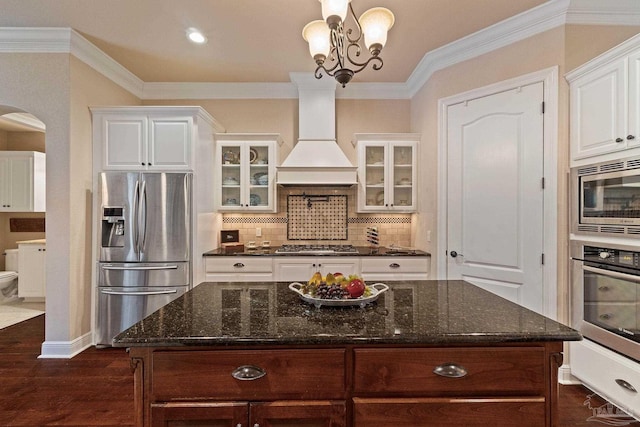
299,269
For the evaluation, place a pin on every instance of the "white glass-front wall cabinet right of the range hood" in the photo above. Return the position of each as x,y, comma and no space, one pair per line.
387,172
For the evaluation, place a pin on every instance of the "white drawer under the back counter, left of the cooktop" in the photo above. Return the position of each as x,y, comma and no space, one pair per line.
238,269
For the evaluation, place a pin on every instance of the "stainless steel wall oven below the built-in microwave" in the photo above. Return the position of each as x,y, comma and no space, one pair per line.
606,295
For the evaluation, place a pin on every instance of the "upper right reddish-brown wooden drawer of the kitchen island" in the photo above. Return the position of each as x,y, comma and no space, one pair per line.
489,371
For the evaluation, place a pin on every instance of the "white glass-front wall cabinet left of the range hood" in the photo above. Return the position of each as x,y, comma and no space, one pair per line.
245,171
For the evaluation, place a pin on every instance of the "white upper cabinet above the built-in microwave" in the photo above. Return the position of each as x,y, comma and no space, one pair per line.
605,105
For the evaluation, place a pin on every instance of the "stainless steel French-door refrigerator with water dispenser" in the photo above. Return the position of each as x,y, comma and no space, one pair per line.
144,249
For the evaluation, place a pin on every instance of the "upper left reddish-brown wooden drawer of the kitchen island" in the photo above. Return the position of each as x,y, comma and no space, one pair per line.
289,374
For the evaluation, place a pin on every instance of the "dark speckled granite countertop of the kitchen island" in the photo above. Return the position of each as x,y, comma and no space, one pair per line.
429,312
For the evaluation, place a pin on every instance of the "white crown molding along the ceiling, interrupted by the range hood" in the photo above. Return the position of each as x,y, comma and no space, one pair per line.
527,24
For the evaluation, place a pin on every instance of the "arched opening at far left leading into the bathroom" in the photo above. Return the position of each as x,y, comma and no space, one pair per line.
22,214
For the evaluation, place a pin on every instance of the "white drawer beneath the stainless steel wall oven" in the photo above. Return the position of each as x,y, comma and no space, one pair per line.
607,373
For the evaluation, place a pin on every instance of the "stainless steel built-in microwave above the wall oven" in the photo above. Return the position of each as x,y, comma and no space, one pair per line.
606,198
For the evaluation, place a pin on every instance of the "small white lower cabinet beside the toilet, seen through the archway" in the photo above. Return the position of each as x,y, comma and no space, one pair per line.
32,275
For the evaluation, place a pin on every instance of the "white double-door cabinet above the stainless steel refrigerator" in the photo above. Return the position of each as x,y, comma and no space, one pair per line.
147,138
